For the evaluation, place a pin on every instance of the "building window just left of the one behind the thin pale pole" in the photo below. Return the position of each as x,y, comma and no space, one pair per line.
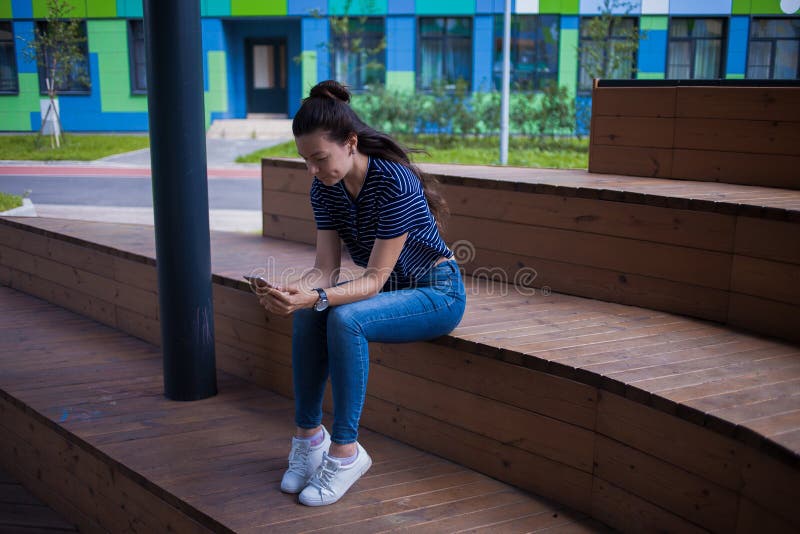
445,51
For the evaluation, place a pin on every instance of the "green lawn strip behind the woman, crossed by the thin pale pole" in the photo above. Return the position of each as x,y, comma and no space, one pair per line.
559,153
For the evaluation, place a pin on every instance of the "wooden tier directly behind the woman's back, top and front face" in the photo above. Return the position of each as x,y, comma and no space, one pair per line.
722,252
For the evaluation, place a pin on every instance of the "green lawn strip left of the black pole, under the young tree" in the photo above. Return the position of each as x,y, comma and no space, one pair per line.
75,147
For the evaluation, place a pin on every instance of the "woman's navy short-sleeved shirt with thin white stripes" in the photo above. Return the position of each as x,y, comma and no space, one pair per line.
390,203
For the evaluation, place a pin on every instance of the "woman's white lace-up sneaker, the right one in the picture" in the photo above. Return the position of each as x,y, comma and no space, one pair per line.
332,479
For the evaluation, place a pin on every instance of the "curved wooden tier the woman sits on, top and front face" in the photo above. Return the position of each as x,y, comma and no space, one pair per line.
614,410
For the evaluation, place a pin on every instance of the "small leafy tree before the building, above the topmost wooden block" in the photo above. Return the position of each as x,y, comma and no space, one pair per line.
609,46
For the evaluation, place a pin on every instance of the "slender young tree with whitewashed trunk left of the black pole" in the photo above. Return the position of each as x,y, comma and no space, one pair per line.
58,50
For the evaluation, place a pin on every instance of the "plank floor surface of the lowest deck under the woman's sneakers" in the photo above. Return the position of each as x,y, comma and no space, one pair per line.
224,455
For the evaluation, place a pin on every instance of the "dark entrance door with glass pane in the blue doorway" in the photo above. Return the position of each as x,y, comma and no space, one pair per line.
266,76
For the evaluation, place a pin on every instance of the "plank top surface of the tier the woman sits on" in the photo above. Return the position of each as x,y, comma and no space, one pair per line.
742,385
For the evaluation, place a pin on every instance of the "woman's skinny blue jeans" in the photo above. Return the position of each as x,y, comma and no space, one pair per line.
335,341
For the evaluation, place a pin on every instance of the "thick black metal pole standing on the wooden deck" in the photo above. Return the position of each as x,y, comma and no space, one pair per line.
180,196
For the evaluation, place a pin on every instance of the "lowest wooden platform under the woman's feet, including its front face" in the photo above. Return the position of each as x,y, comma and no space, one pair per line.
84,402
